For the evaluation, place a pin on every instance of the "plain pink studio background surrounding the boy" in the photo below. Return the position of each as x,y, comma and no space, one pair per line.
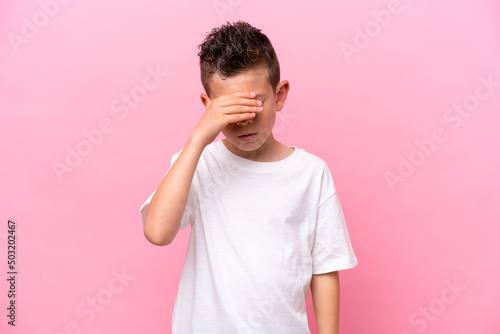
363,113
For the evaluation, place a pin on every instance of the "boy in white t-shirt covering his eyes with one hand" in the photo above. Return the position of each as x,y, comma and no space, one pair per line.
266,221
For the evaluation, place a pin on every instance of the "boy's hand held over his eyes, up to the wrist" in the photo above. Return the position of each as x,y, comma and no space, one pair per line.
226,109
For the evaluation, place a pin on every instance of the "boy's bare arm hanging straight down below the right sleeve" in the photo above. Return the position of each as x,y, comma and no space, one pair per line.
325,292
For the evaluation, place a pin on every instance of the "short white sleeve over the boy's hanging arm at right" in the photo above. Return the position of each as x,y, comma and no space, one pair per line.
332,249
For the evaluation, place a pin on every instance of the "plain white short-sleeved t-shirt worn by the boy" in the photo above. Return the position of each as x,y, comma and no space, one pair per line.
259,230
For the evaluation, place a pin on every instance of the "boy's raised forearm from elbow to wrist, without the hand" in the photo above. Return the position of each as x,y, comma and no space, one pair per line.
167,206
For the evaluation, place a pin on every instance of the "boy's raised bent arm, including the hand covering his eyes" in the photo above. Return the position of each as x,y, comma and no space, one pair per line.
165,211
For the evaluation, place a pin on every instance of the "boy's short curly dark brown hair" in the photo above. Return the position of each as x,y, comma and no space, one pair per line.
232,48
